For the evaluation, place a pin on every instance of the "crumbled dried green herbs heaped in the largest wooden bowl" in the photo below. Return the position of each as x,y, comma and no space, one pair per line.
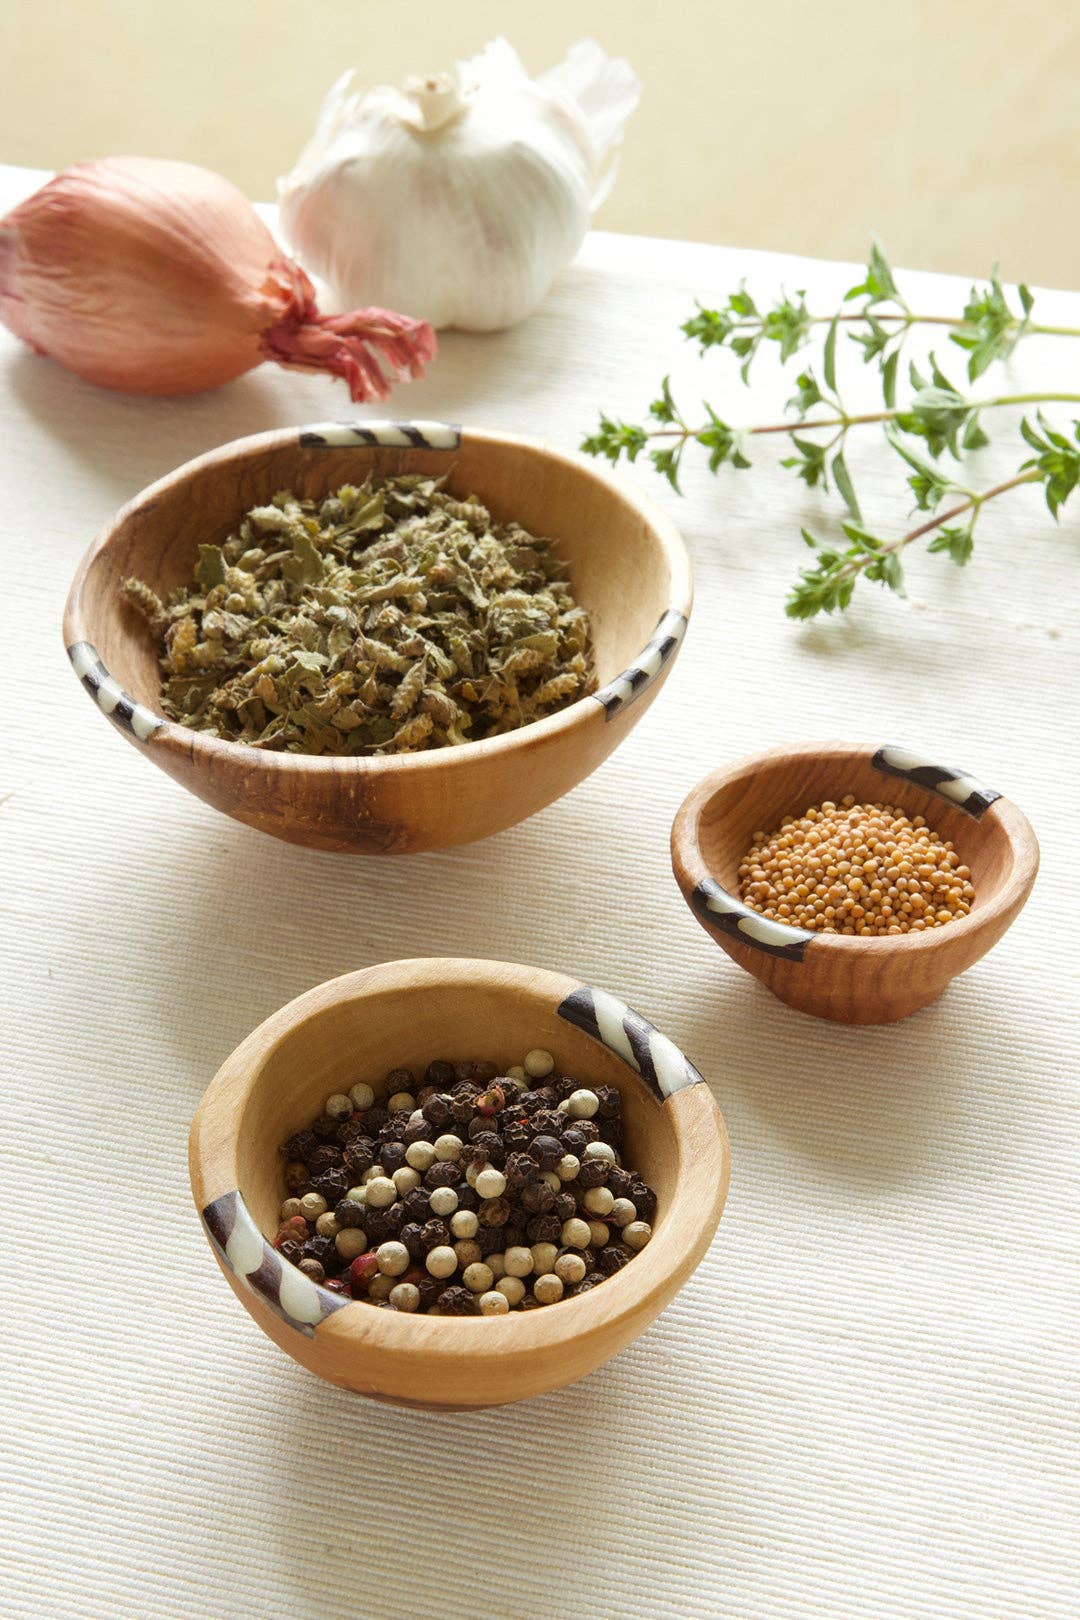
388,618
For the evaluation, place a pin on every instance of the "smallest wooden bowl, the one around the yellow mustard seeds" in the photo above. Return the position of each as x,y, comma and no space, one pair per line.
851,979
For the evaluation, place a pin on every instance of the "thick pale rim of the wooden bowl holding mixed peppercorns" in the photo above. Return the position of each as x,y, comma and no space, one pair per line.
647,1284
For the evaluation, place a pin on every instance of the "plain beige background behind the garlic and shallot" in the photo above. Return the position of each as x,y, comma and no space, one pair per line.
948,126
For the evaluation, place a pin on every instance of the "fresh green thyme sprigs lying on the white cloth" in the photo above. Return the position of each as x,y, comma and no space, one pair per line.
935,420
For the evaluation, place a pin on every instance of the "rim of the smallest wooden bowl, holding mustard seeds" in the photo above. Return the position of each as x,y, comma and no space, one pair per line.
1016,830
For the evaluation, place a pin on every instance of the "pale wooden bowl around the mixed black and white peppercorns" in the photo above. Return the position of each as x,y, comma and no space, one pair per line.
409,1013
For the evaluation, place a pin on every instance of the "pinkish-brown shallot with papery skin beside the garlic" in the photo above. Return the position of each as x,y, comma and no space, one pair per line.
159,278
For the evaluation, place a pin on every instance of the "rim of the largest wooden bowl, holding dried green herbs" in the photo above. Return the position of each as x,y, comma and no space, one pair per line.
216,751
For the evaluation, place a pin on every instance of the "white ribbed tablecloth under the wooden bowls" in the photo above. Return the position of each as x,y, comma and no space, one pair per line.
865,1400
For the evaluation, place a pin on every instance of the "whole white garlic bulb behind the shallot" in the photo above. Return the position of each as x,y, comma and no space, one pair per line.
464,195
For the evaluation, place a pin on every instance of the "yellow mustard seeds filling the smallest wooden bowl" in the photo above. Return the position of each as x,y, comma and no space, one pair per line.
856,869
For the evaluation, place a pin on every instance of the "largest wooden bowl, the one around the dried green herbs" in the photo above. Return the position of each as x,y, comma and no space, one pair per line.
629,569
